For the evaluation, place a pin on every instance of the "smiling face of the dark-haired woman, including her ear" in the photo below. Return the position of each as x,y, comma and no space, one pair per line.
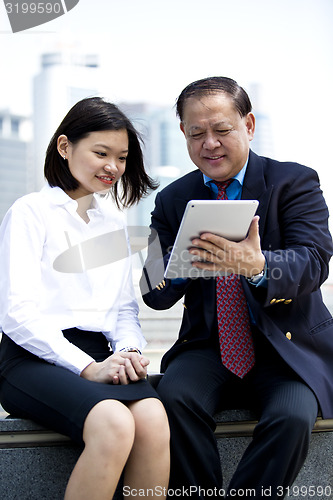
97,162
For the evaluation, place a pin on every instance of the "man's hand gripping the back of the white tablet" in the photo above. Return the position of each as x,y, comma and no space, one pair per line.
219,254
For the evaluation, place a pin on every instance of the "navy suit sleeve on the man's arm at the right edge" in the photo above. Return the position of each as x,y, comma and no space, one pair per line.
299,264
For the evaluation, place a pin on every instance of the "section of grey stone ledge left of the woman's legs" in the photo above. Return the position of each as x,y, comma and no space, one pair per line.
35,463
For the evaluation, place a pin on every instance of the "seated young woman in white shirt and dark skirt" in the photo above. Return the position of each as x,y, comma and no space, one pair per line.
70,355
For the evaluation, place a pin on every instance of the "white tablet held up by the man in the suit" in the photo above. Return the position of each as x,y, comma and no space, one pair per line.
228,218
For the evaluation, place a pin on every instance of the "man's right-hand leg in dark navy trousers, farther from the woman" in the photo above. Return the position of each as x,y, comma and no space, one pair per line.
281,439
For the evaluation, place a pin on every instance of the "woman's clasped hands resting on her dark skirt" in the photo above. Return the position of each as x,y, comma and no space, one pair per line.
119,368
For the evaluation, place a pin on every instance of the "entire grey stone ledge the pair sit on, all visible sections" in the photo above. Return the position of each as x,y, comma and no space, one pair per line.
36,463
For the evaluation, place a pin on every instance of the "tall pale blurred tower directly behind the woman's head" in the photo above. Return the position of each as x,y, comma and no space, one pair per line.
65,77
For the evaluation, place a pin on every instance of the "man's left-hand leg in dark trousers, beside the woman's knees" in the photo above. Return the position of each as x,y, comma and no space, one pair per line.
191,390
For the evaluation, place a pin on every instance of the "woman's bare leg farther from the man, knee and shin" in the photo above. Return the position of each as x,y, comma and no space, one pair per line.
108,434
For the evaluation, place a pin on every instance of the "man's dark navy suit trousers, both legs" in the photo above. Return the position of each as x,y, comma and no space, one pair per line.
196,385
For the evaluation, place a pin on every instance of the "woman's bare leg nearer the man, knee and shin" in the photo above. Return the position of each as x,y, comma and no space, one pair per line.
148,466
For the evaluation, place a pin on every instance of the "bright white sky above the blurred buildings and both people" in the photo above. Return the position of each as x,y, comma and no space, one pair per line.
151,49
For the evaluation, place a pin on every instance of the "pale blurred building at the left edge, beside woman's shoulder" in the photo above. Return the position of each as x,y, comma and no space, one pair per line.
16,177
